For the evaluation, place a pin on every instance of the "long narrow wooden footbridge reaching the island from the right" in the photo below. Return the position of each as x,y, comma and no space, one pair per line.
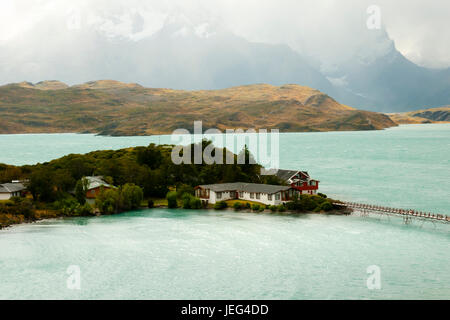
408,215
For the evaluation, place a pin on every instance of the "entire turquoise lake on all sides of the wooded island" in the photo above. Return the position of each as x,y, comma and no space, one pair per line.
179,254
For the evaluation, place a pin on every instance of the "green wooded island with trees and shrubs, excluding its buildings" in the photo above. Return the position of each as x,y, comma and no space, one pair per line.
142,177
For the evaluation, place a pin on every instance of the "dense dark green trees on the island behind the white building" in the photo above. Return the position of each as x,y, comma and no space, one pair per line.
150,168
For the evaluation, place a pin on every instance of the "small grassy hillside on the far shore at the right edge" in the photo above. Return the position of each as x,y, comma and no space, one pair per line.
432,115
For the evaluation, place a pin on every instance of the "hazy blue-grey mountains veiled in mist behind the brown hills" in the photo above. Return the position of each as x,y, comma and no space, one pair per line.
185,55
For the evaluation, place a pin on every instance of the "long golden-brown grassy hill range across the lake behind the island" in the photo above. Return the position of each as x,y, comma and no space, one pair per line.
115,108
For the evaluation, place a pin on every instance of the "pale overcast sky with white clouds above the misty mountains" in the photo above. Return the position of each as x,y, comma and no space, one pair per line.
326,28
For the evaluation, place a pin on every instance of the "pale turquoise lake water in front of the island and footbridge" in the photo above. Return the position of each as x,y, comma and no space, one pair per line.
179,254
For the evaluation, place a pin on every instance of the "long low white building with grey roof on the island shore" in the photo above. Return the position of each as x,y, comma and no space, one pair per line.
262,193
